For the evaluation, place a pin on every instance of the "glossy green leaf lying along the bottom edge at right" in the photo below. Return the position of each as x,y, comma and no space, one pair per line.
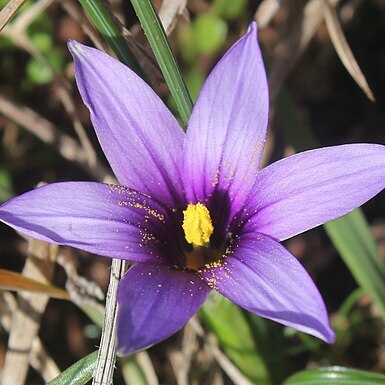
335,376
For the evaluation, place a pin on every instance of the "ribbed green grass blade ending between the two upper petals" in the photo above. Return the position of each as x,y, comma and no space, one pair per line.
158,41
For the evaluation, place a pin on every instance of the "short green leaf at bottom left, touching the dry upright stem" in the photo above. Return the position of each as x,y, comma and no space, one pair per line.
79,373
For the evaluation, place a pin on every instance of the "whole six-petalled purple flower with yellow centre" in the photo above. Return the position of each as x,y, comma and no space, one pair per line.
197,214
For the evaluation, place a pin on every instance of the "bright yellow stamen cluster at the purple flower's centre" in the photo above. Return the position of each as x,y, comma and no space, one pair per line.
197,224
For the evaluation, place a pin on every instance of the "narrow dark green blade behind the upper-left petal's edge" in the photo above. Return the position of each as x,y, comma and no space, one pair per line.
106,25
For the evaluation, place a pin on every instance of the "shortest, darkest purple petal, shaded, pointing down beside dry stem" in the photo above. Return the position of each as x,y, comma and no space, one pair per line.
154,302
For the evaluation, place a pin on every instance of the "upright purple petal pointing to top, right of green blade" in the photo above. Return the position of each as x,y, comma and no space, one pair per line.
227,128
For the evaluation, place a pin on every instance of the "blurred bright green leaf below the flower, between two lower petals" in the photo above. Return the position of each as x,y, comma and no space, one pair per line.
235,337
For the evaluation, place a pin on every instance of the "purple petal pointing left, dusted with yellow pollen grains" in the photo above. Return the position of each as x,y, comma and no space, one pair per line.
107,220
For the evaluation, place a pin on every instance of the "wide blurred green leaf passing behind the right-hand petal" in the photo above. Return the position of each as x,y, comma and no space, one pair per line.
350,234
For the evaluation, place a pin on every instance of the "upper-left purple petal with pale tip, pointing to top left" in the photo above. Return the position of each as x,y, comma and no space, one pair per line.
139,135
